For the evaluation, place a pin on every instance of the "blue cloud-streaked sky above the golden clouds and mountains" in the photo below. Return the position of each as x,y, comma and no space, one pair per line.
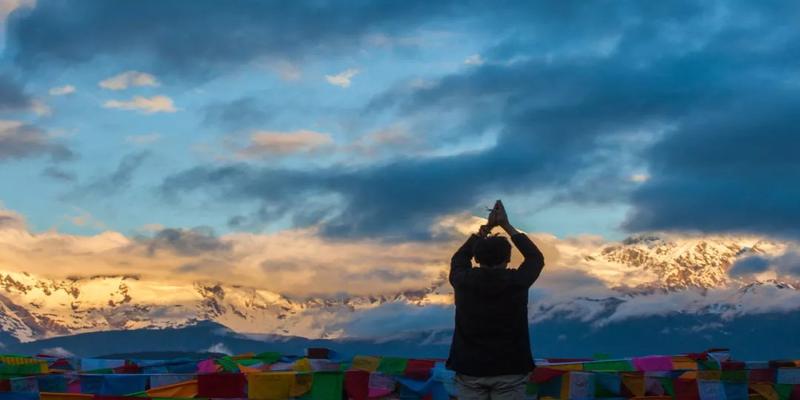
375,119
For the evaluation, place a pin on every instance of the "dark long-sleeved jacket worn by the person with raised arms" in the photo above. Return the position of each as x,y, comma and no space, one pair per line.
491,334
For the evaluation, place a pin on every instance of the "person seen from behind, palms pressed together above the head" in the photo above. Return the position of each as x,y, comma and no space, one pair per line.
490,350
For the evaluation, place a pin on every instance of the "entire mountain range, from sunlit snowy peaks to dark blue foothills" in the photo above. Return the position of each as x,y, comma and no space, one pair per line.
646,294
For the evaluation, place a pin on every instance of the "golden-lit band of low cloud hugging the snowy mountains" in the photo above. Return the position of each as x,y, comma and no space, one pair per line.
299,263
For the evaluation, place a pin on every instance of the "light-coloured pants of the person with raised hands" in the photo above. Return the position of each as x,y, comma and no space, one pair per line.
500,387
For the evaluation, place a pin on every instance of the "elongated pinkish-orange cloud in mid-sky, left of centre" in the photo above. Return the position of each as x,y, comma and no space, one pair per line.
272,143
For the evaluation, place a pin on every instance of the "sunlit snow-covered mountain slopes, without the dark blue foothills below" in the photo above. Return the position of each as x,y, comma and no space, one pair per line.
644,276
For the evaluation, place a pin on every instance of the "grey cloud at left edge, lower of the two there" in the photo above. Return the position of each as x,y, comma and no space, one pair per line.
20,140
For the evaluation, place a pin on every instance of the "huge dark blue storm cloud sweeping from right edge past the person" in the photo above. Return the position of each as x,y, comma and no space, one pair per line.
703,96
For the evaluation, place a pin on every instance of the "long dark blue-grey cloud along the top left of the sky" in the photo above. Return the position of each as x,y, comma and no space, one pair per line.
178,39
